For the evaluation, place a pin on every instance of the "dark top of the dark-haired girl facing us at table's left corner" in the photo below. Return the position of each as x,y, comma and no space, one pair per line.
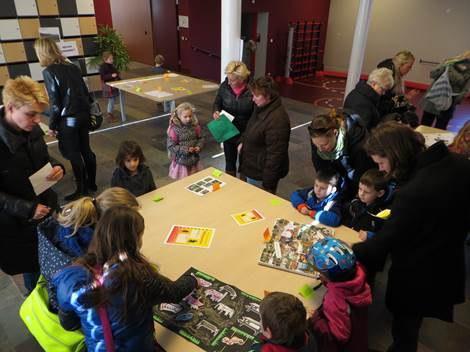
138,184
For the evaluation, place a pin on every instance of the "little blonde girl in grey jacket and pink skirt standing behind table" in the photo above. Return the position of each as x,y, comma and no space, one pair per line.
184,142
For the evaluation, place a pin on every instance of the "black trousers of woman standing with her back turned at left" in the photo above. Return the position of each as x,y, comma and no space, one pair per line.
74,145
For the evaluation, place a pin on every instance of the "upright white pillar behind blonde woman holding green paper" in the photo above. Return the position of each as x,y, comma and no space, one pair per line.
231,23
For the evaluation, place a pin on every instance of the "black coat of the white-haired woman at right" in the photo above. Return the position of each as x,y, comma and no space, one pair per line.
364,101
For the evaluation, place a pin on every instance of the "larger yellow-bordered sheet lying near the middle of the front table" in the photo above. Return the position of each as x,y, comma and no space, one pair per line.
191,236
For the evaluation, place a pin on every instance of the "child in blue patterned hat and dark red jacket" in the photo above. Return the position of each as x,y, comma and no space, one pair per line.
340,323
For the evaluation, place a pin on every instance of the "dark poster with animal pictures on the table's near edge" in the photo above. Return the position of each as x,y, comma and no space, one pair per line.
216,317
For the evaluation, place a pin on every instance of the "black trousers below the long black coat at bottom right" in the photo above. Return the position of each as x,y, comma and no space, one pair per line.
405,332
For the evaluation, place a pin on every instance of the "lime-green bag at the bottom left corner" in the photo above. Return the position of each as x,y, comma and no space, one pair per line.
45,325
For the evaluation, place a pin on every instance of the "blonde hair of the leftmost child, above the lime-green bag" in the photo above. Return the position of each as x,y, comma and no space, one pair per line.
79,213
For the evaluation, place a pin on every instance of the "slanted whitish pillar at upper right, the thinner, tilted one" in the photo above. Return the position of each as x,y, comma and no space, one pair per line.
359,45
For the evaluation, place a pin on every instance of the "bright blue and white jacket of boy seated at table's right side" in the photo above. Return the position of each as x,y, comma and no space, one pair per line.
326,211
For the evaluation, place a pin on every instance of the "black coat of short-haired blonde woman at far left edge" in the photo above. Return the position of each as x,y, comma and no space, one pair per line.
21,155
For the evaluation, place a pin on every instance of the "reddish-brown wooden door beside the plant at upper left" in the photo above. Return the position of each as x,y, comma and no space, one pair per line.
132,19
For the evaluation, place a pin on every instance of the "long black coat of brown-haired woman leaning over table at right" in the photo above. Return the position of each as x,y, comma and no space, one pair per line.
425,236
